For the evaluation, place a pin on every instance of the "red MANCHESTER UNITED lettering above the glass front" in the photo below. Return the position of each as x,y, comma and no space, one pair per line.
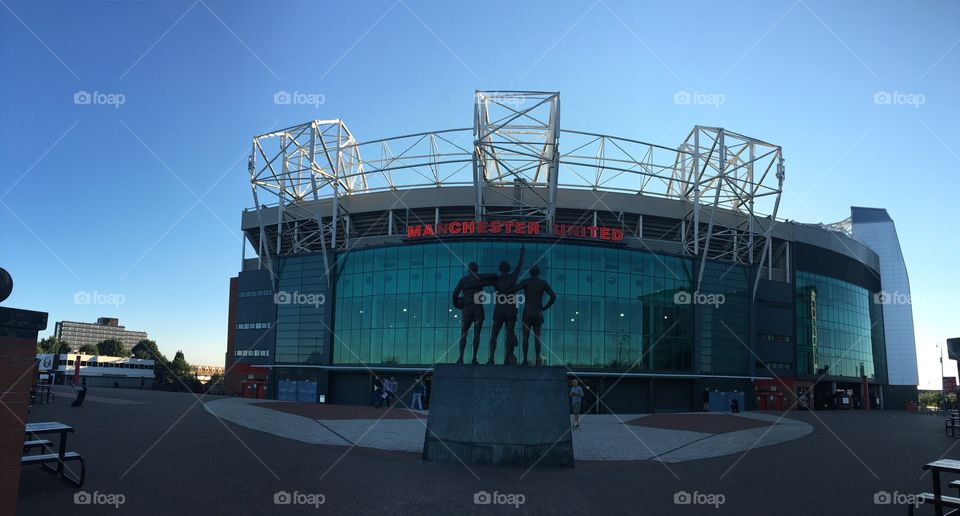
510,228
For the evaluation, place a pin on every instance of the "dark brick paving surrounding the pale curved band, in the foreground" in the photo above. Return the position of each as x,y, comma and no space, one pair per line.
167,455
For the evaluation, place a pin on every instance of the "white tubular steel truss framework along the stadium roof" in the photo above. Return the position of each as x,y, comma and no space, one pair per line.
301,175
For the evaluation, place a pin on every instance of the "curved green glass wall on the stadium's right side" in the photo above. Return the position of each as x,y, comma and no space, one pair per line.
839,327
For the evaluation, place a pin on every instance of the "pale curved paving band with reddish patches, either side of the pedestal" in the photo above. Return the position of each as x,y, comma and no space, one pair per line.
604,437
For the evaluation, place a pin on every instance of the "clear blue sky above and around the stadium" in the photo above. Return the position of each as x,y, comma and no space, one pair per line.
133,195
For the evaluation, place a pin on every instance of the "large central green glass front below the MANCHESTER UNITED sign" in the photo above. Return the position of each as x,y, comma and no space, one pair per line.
615,306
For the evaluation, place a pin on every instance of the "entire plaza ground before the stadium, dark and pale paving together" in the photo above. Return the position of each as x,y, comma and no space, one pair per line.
172,453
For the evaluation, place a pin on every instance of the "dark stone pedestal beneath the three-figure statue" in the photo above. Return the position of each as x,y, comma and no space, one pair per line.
497,414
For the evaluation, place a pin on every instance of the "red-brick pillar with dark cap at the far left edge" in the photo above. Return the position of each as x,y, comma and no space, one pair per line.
18,352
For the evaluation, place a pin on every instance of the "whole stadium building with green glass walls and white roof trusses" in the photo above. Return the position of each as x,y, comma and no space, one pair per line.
672,271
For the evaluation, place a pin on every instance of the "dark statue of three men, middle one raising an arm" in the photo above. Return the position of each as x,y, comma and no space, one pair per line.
470,298
